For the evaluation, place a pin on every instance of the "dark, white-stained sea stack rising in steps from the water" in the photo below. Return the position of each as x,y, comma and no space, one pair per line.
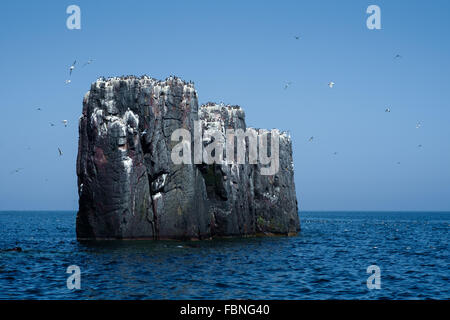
130,187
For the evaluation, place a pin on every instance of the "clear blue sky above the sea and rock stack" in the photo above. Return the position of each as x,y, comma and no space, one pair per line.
243,52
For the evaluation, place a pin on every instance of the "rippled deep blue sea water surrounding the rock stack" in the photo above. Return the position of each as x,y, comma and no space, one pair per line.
327,260
